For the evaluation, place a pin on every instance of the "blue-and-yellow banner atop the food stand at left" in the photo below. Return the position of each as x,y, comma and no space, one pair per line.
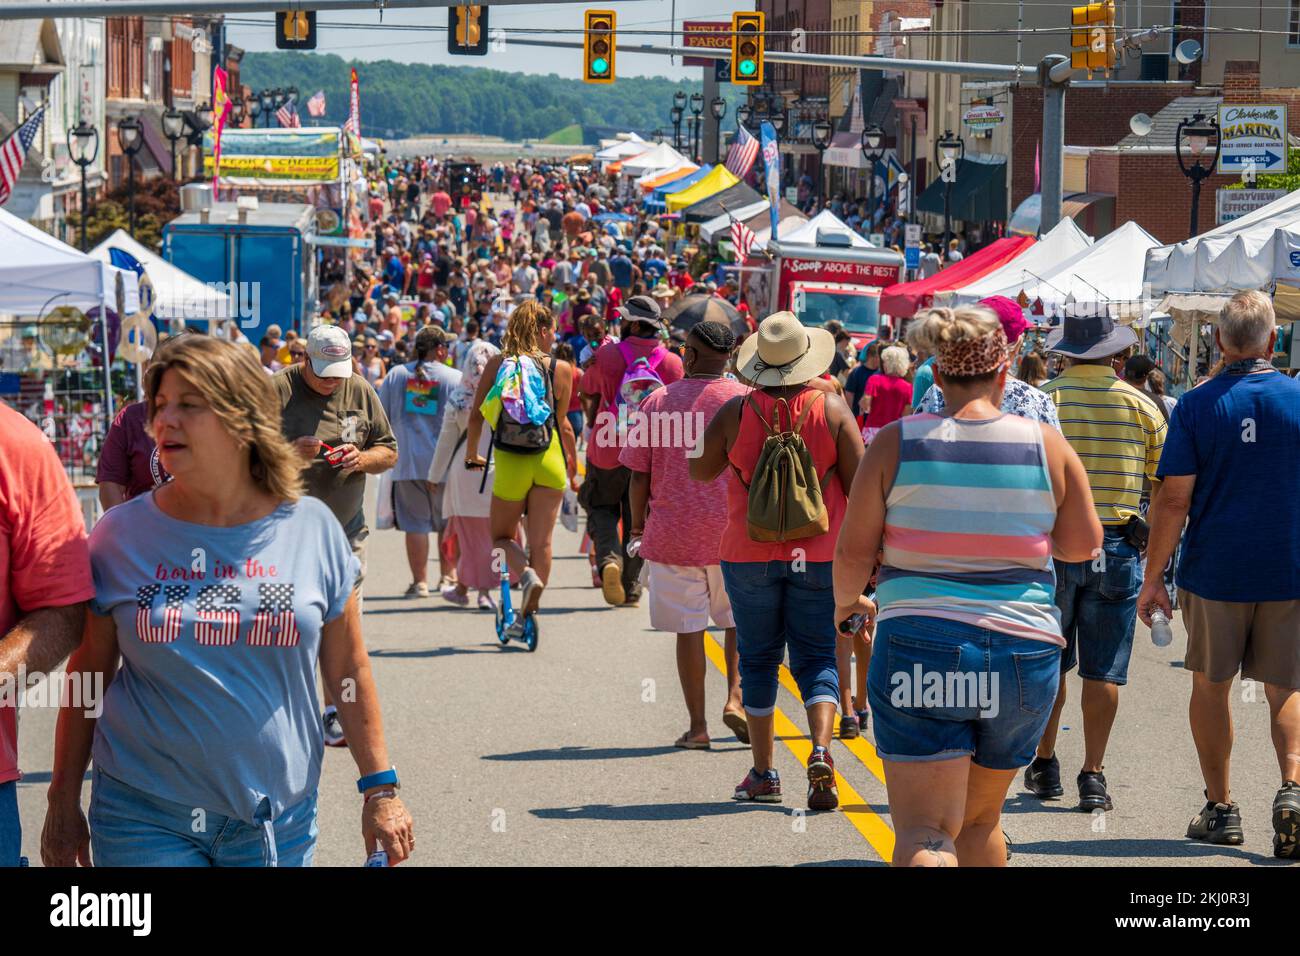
267,158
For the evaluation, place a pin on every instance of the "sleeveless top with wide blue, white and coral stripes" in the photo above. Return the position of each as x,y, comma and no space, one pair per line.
969,527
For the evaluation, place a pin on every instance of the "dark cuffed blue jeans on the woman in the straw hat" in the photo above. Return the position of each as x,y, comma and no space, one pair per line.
775,608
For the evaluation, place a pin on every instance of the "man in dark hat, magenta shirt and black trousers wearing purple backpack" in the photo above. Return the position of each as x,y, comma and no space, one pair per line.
605,492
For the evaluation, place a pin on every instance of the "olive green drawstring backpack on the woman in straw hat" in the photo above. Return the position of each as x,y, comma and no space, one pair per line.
785,492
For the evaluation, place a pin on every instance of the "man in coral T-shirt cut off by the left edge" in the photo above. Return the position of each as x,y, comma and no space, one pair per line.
45,585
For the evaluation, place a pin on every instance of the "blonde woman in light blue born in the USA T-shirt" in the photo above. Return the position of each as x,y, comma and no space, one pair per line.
222,591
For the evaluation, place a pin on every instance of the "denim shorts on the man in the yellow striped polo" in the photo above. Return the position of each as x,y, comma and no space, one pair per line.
1099,609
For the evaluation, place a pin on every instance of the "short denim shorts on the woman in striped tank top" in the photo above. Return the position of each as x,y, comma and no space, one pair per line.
944,689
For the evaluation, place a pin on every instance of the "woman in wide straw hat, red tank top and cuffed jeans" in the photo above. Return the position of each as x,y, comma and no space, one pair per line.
782,592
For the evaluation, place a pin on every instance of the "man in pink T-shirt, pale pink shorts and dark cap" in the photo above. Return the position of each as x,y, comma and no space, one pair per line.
686,578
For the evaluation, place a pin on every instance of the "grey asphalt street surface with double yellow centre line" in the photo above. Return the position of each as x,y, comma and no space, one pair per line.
565,756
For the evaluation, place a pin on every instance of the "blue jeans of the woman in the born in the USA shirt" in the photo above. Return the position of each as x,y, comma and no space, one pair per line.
131,828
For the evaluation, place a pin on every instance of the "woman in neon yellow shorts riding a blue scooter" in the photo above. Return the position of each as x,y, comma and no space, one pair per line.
535,483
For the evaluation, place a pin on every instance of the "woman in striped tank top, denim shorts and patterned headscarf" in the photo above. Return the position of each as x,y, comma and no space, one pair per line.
972,508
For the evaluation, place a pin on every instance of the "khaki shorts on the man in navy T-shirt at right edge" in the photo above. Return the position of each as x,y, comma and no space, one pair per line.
1262,641
